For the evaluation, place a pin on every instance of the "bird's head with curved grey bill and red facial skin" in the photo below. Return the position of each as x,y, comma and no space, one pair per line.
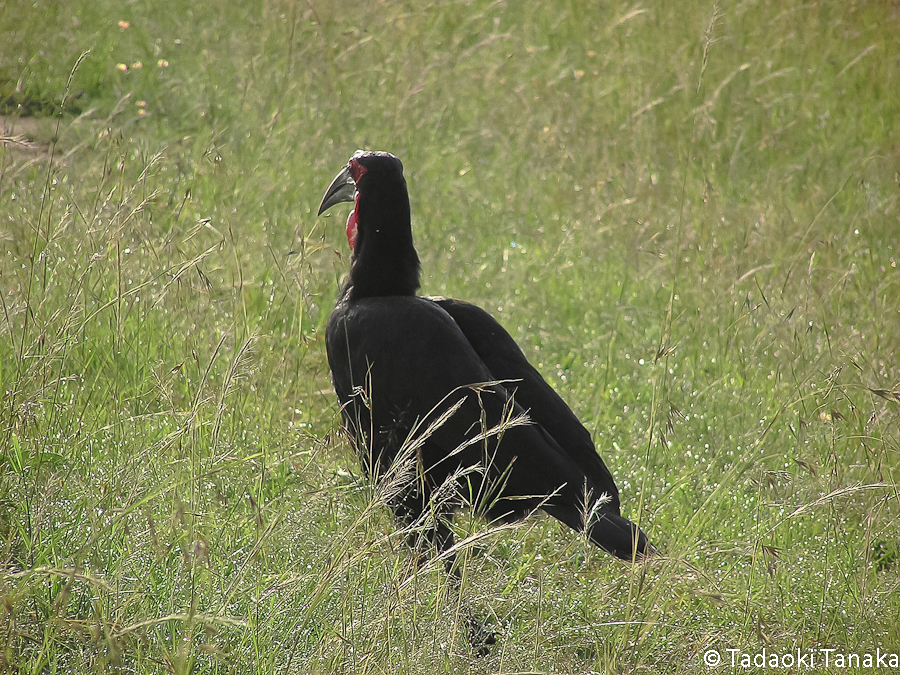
367,173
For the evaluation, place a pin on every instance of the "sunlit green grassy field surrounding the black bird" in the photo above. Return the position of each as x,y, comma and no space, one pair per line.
687,214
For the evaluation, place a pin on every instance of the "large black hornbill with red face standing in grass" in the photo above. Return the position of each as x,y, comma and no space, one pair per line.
443,380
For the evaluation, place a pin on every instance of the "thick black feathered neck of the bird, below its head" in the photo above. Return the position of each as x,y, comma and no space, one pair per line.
384,260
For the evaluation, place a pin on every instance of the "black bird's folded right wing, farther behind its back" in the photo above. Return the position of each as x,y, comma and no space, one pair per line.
506,361
